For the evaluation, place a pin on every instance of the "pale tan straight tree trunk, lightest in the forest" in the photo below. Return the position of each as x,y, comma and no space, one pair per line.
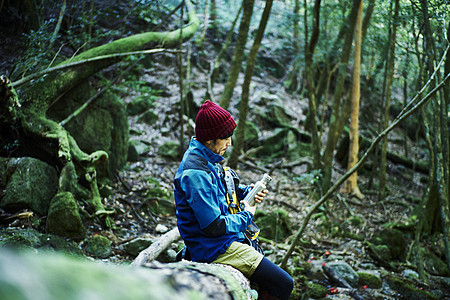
351,186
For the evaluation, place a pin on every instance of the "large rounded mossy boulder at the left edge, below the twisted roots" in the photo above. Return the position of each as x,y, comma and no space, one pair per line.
30,184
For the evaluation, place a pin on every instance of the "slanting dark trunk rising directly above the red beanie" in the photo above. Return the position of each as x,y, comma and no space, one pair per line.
238,54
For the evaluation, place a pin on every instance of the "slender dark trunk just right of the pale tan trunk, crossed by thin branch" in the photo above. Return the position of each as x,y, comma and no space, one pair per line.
387,102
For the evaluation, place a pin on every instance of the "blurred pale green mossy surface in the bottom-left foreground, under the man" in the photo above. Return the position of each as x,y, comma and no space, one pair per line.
29,276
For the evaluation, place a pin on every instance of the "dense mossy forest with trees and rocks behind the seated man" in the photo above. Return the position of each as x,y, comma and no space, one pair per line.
344,103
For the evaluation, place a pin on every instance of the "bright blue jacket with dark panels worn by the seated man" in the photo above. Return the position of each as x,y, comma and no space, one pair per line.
203,219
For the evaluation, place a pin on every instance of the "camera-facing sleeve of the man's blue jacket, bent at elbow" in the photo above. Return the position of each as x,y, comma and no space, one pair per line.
203,197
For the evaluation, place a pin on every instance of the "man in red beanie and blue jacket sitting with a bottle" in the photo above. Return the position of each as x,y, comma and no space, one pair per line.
211,233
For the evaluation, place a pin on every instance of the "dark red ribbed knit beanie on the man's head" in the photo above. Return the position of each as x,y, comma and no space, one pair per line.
213,122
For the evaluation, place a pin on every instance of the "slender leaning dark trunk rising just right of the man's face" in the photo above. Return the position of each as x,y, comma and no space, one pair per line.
243,112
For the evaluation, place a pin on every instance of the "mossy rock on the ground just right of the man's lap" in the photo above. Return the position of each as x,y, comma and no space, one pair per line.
274,225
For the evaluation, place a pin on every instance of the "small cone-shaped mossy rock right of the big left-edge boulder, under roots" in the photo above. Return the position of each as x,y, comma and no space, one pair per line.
63,218
